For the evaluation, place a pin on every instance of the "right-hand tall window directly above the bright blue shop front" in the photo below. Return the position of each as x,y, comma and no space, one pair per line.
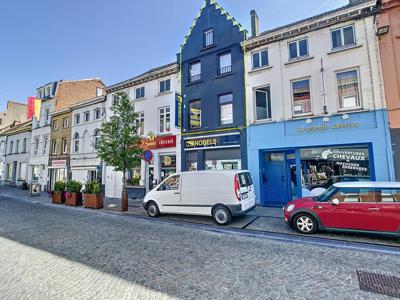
348,90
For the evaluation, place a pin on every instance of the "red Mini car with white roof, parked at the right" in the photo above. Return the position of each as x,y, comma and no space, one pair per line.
348,206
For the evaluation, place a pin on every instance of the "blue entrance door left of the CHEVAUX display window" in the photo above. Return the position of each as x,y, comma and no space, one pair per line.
275,179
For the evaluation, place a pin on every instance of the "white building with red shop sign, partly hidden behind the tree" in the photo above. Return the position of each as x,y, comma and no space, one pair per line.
154,97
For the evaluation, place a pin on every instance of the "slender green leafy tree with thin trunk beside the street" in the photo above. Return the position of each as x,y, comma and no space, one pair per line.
119,142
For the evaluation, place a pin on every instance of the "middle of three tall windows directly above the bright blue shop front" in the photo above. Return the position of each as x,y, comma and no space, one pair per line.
301,97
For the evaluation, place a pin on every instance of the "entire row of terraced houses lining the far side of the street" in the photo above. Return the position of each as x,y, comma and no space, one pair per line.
299,106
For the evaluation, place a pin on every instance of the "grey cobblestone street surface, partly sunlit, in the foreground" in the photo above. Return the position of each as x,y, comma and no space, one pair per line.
61,252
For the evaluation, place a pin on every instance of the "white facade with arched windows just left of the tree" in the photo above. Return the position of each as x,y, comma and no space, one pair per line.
87,117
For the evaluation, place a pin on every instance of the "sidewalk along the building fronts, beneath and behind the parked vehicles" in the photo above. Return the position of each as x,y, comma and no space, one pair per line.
261,219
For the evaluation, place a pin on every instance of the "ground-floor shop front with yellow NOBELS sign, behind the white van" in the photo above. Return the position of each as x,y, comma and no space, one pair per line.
213,152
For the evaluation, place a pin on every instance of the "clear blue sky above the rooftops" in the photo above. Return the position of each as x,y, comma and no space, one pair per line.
47,40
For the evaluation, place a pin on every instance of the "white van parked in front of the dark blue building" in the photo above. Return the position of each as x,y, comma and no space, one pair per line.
220,194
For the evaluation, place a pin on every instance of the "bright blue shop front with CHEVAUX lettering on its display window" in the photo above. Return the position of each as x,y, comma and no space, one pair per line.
290,159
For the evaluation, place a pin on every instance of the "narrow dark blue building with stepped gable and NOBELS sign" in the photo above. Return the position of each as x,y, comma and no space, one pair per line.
213,92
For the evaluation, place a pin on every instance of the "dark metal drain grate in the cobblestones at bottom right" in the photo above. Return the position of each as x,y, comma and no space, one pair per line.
378,283
